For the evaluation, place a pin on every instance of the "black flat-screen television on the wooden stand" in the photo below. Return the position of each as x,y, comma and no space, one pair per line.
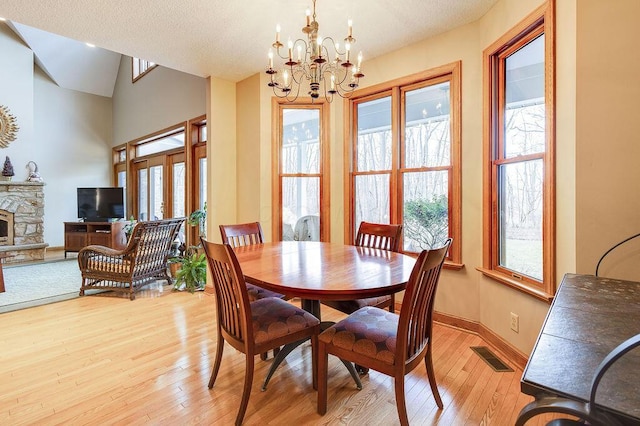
100,204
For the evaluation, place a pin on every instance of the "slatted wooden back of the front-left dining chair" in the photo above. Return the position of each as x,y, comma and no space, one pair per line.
232,300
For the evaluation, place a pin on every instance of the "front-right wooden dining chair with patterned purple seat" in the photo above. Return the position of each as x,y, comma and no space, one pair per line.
387,342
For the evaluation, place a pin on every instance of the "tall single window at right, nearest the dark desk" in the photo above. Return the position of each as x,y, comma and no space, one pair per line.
519,208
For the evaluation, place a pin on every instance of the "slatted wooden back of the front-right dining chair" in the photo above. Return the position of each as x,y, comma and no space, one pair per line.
415,323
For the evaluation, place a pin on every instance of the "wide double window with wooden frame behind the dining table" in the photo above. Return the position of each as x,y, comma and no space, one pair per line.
405,165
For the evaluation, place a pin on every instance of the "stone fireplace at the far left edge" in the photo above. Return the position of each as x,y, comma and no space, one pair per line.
22,221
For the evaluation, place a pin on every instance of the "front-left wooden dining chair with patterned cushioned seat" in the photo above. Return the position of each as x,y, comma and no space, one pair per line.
252,327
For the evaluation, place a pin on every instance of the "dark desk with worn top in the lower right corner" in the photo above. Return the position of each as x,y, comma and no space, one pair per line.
589,317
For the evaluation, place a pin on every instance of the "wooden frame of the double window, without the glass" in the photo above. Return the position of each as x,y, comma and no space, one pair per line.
396,89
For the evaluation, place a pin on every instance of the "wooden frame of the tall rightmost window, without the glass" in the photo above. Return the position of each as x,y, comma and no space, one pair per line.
540,21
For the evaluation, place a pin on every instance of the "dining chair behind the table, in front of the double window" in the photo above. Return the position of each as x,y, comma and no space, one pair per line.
379,236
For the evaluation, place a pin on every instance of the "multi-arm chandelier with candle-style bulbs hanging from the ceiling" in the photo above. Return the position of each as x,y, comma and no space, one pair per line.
318,61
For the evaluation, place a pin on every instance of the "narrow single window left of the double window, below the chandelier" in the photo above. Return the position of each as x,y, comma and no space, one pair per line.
300,154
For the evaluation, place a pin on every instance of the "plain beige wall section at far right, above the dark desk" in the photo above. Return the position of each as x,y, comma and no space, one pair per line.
607,129
